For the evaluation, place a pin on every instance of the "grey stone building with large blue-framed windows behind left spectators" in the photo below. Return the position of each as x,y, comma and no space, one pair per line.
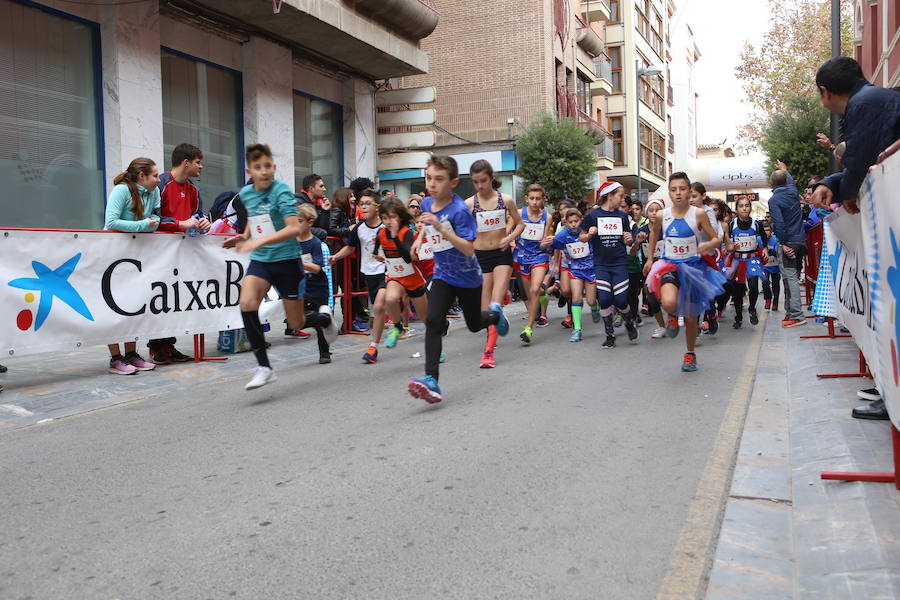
88,86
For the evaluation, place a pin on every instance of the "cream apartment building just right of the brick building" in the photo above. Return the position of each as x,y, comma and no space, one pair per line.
637,38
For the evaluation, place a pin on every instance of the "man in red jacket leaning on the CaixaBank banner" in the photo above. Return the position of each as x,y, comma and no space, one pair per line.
181,209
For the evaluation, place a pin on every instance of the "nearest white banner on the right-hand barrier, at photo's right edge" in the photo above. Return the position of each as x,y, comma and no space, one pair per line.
881,236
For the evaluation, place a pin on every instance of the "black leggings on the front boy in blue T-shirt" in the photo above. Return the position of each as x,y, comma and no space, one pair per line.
439,300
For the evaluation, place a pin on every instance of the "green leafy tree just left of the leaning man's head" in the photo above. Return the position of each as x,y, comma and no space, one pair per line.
790,137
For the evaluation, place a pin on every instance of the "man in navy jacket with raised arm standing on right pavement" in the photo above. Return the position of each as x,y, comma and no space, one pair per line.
787,225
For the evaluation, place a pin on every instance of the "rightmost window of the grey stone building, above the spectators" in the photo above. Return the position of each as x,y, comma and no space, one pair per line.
318,141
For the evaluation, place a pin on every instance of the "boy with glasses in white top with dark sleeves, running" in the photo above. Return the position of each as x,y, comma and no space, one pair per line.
371,266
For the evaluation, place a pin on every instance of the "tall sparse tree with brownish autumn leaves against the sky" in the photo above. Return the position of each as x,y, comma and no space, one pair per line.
785,63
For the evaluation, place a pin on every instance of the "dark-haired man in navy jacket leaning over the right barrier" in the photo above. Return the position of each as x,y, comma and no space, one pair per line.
870,123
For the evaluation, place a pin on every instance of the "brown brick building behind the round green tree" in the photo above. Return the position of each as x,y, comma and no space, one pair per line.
495,68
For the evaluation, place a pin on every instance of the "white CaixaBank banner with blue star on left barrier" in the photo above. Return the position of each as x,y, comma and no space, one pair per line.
63,290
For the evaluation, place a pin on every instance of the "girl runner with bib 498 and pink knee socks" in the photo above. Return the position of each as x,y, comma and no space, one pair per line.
493,211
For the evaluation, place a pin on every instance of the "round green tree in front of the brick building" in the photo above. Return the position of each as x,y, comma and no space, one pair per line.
557,155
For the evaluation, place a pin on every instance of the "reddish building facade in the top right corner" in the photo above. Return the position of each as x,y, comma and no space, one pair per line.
877,40
